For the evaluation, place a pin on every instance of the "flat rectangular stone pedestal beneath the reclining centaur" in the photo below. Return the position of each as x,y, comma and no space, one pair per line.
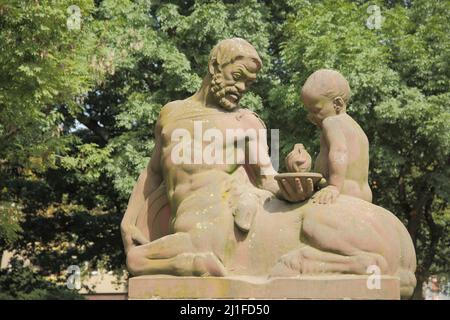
304,287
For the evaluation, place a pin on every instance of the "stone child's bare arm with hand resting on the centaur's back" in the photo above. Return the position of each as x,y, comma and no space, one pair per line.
337,161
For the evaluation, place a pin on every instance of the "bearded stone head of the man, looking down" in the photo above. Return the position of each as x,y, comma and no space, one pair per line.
233,65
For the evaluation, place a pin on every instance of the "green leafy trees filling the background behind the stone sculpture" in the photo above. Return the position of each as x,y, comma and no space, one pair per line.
78,108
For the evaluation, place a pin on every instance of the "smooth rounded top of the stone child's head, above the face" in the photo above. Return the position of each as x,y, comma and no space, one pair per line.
327,83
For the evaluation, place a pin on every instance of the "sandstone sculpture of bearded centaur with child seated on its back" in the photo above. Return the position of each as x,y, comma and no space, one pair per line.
190,216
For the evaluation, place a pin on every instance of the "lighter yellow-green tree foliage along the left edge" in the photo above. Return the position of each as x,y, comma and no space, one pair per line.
41,65
